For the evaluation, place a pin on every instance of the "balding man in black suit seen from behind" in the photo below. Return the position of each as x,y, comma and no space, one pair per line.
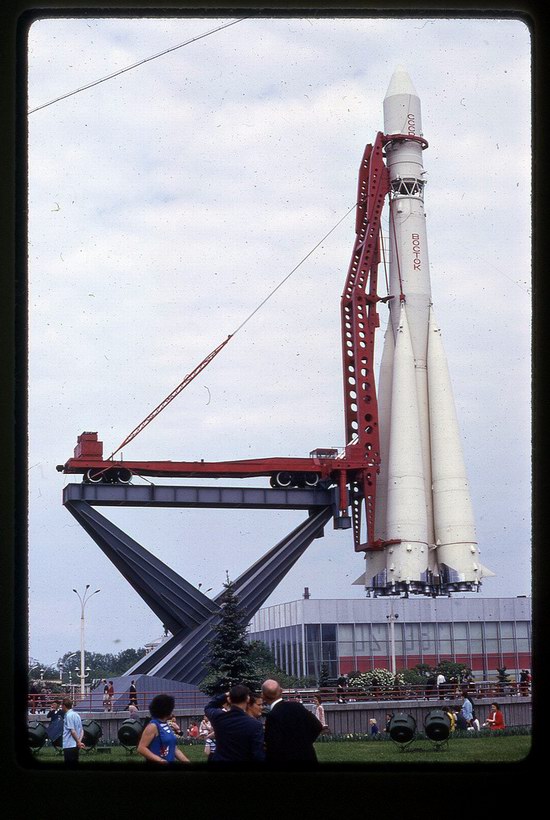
290,728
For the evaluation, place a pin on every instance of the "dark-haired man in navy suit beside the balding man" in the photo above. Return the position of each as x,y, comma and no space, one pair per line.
239,737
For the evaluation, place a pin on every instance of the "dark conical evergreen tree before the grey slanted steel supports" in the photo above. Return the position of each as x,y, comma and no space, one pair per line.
230,660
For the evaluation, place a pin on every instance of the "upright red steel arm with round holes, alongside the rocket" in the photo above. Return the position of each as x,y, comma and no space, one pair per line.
359,322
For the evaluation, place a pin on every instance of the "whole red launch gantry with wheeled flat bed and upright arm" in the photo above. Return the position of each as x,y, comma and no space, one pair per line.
353,470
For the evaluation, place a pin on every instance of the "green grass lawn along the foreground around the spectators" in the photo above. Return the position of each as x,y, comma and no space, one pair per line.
504,749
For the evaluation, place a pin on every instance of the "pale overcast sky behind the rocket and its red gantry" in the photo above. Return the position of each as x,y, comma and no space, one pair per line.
166,203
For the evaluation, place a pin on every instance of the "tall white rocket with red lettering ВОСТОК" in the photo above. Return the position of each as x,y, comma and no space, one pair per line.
423,497
